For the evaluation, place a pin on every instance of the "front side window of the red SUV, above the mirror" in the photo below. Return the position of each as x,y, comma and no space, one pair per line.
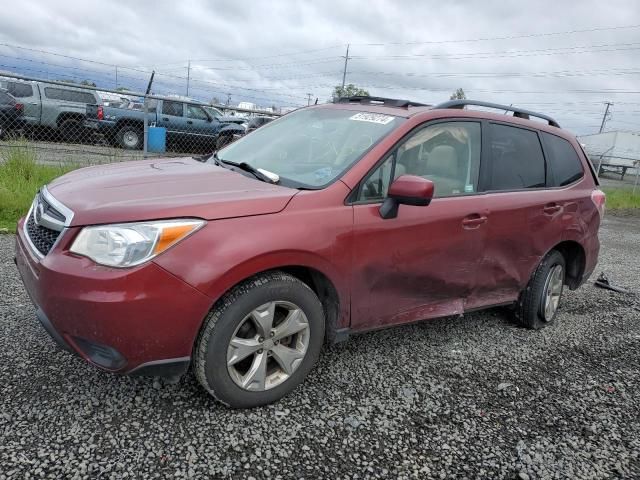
448,154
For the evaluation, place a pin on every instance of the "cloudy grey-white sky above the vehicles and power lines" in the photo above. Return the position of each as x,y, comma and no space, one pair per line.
563,58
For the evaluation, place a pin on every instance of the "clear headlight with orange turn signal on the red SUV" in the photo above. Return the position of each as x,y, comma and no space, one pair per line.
129,244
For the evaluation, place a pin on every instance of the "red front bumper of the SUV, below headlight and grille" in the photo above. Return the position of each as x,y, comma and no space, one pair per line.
141,320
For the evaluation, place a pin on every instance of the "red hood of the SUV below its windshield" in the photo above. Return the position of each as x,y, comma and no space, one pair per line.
164,188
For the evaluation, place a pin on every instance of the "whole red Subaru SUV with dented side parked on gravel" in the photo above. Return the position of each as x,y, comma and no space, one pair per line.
335,220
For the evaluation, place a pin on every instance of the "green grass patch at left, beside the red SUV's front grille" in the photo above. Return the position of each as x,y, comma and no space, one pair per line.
20,178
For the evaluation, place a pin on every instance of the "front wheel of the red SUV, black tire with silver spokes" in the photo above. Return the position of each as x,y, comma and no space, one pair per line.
234,313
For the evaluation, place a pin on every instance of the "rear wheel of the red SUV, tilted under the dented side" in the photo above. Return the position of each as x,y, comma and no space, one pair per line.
545,286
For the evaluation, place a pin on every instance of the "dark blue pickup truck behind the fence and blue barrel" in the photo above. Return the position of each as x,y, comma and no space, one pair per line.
186,122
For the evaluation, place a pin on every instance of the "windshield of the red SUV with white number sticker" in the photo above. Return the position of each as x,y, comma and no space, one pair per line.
311,147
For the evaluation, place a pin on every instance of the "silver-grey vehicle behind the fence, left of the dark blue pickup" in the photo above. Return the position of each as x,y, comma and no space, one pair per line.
53,106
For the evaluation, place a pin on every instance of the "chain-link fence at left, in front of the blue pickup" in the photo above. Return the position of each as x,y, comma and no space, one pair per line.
58,122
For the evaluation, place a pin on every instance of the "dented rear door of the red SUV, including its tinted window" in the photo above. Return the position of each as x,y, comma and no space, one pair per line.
521,212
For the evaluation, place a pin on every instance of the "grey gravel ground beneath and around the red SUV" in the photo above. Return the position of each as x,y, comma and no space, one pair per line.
472,397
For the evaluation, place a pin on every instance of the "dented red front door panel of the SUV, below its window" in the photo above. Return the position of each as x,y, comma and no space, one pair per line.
420,265
